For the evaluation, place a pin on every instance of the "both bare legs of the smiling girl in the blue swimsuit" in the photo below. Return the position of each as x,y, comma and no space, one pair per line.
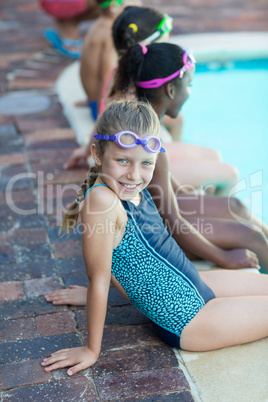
239,314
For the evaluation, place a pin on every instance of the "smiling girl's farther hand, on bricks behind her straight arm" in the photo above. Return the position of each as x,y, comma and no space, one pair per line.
75,295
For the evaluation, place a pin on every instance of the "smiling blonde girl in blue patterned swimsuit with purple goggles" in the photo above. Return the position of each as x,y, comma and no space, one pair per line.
203,312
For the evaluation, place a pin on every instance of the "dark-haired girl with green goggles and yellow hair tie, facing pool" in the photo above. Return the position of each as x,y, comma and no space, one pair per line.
198,165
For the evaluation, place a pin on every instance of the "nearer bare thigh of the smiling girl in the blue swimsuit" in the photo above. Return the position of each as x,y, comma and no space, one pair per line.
226,322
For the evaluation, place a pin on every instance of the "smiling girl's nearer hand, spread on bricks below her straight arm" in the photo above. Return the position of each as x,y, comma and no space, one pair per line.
77,358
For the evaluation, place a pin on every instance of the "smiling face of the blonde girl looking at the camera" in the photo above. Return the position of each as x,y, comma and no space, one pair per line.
127,171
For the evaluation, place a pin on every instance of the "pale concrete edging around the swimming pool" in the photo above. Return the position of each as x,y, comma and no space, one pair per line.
209,372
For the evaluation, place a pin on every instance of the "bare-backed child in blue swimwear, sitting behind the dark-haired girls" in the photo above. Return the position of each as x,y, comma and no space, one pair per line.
98,53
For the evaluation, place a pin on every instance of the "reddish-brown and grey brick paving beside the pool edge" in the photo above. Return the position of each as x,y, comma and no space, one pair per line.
34,188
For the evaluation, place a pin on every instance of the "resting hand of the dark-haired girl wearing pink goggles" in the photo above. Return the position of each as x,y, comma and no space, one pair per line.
240,258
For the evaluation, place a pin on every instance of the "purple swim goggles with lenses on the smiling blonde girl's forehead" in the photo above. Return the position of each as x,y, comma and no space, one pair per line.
128,140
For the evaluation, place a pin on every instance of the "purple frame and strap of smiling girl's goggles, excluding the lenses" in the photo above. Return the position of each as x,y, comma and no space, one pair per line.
144,142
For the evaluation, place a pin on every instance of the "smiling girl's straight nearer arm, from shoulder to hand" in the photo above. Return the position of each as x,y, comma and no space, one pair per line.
98,235
